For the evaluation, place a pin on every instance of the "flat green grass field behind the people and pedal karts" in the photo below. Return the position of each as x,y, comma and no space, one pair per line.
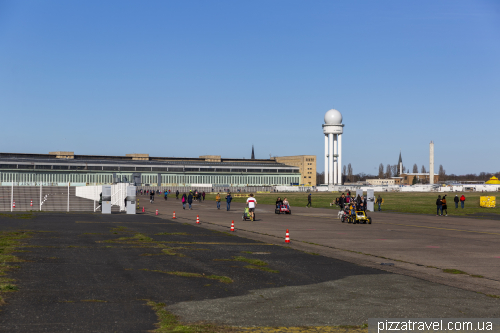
416,203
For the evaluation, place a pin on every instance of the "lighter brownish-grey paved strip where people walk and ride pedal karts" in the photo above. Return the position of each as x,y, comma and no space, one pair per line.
423,246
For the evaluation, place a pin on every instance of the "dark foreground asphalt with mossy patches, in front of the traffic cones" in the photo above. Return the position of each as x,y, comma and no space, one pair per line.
95,273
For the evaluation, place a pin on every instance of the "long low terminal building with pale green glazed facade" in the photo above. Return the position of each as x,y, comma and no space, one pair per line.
61,168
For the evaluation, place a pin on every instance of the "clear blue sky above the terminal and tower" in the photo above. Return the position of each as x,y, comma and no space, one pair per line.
189,78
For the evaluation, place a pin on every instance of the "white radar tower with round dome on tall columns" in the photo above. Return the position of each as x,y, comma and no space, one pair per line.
333,130
